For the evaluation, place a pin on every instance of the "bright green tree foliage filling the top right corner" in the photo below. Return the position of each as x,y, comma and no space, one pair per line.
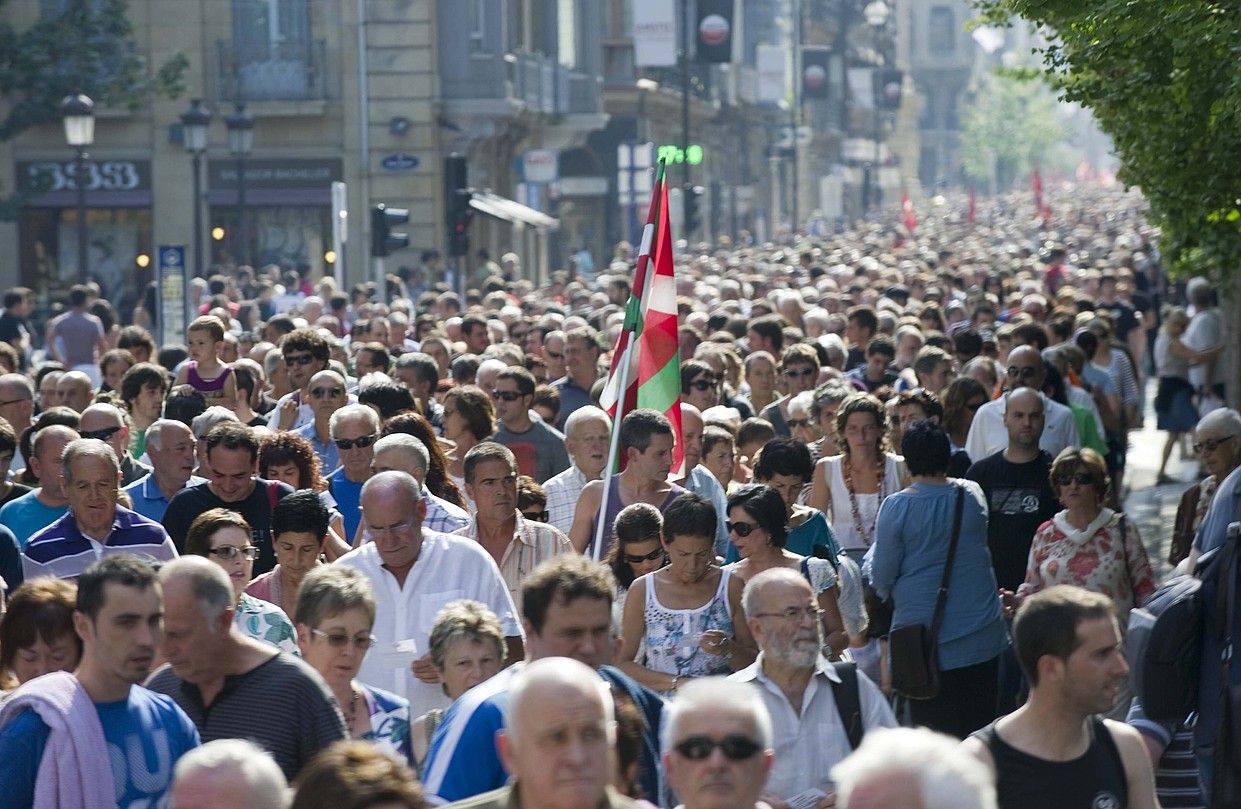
1161,79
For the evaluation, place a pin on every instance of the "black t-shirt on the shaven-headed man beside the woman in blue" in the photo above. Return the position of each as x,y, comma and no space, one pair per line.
1019,499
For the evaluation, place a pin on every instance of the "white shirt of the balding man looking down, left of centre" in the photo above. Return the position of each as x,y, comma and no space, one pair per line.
449,569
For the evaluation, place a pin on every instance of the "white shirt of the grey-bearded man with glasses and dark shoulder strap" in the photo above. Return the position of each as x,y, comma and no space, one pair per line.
810,743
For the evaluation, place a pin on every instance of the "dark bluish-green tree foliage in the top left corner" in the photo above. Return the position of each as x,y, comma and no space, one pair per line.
87,49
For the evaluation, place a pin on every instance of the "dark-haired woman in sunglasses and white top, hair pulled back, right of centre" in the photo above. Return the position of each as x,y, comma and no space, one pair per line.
759,529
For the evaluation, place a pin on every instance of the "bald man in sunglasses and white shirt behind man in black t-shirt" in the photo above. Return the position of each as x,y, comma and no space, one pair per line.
988,435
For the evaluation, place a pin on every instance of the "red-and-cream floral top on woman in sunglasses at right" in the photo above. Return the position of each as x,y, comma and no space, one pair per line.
1099,559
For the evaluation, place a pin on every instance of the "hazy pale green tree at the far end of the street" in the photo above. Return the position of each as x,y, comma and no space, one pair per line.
1011,126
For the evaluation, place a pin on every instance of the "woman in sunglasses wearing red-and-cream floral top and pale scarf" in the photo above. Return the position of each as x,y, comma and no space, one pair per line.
1086,544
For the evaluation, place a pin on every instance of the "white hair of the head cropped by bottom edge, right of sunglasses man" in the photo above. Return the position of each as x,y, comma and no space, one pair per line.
948,777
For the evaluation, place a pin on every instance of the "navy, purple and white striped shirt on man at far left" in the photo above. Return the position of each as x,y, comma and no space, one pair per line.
63,552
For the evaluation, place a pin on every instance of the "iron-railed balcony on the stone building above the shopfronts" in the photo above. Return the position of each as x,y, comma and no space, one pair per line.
281,73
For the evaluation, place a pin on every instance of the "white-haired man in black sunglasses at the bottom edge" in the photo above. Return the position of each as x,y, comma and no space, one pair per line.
718,745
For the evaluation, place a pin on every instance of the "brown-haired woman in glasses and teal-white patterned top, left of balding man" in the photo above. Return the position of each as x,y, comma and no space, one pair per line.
224,538
